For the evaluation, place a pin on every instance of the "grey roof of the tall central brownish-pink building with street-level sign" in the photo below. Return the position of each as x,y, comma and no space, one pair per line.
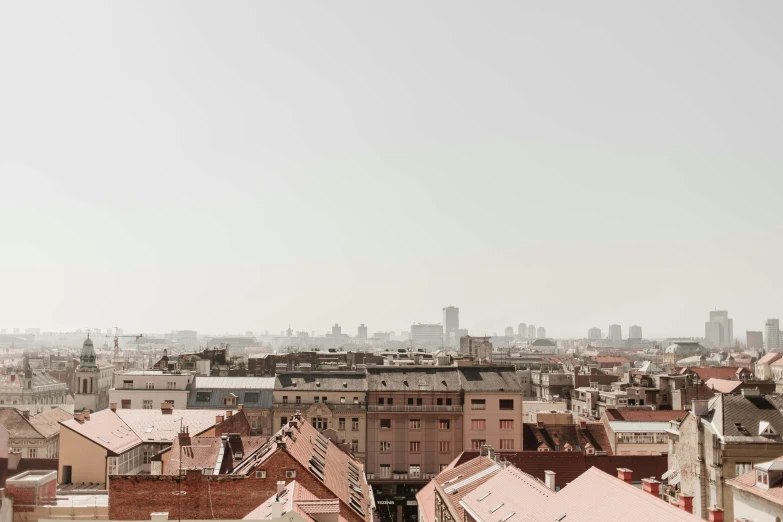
406,378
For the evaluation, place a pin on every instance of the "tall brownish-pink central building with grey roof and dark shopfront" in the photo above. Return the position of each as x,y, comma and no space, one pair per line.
414,429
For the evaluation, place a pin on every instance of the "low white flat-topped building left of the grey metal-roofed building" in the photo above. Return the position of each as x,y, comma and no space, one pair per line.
147,389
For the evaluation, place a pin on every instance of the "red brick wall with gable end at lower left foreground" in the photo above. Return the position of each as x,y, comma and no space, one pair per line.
134,497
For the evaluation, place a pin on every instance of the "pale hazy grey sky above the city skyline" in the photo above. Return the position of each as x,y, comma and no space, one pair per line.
228,166
